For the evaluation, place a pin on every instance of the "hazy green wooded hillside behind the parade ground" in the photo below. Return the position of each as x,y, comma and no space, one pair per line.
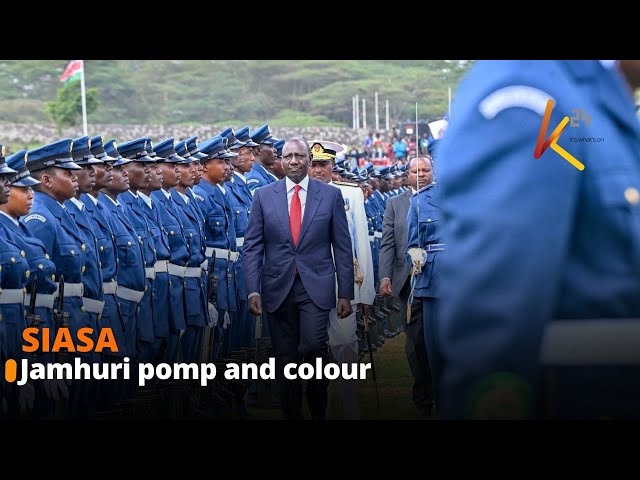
293,93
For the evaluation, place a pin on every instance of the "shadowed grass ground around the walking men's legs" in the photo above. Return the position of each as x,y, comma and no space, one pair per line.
394,386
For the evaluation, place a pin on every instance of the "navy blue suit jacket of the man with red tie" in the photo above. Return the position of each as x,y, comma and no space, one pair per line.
268,240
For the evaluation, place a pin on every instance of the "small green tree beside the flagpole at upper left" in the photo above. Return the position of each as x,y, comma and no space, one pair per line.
66,110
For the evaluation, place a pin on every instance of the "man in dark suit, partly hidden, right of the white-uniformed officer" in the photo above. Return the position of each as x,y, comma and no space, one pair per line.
395,280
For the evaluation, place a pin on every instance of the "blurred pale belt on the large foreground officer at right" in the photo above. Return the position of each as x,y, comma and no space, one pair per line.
598,341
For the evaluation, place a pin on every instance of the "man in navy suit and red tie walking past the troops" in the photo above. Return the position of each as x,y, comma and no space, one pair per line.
294,226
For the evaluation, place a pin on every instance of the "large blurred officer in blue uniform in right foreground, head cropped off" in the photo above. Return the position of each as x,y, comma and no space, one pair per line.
541,312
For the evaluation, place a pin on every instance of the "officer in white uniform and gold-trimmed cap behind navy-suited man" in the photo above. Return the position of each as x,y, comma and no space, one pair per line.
343,341
